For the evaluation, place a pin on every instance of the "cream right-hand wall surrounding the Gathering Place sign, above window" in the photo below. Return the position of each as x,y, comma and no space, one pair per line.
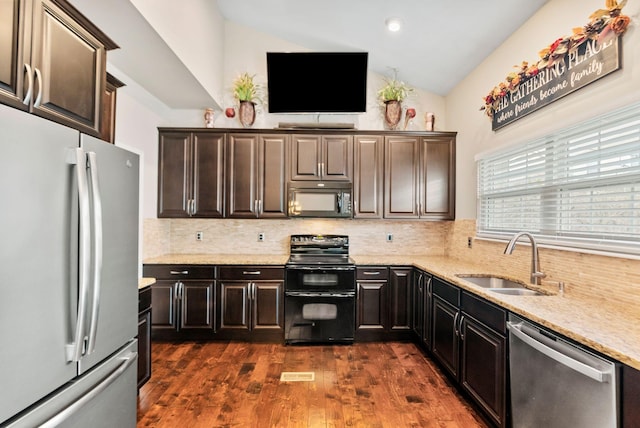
554,20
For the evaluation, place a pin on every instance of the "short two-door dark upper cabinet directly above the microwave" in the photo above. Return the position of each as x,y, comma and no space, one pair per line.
321,157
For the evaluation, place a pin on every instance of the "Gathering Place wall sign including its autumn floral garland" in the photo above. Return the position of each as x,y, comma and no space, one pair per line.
568,64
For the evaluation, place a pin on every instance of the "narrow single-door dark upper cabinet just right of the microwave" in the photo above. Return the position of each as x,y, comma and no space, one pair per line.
368,177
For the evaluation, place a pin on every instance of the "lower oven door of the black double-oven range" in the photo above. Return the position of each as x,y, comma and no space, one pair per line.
316,317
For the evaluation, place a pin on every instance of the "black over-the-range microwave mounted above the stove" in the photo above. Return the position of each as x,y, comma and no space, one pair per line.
320,199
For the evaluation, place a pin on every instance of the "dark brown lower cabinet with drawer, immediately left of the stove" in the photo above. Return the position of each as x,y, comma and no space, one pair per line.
251,303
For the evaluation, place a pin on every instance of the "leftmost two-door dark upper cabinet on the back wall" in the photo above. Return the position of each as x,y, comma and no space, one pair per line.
191,174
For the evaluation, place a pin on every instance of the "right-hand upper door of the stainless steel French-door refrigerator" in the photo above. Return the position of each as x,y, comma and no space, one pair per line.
117,187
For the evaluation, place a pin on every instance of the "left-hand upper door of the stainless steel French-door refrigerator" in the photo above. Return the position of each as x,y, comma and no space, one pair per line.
38,252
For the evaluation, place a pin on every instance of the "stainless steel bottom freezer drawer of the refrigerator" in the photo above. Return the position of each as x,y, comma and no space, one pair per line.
104,397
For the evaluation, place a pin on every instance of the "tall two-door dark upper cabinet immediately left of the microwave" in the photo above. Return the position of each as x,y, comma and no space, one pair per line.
257,176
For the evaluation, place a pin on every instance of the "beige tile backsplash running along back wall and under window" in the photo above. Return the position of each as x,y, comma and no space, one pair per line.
609,278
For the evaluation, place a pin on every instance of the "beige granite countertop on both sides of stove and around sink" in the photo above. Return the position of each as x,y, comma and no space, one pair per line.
613,330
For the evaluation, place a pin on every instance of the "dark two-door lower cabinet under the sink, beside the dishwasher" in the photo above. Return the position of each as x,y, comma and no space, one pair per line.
469,341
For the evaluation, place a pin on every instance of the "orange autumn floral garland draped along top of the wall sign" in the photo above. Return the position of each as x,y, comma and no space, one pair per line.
601,22
